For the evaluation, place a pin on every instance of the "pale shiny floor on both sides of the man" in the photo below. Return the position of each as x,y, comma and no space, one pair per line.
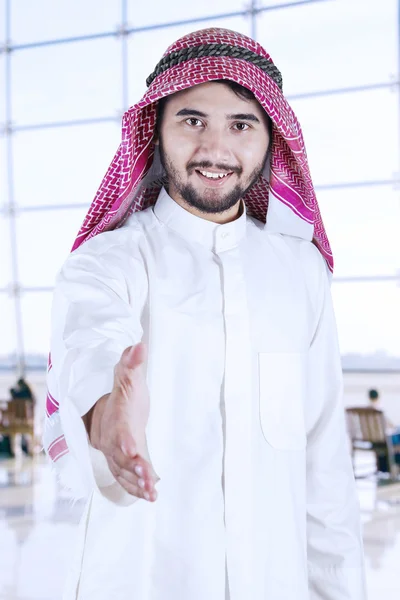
38,524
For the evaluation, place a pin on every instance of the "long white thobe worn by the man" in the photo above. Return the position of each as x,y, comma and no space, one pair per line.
257,497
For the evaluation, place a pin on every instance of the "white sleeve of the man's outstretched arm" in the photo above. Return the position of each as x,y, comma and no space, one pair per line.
95,316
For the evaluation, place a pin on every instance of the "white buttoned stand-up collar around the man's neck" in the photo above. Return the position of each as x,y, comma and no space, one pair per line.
214,236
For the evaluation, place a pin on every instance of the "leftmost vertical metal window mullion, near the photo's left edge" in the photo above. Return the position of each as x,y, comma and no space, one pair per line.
15,287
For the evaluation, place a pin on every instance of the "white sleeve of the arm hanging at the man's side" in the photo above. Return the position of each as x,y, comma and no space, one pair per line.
334,538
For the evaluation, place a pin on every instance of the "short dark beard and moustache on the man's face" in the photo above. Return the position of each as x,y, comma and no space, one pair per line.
209,201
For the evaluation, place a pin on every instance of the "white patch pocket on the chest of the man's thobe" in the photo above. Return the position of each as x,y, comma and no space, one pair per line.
282,389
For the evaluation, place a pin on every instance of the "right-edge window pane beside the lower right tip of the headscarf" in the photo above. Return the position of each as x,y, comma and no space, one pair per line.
362,226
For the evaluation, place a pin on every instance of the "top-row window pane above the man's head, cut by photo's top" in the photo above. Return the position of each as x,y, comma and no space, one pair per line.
180,10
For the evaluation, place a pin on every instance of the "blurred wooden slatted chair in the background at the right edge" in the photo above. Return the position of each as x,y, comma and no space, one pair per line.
367,430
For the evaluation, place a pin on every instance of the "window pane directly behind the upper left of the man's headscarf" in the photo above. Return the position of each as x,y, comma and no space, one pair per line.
157,42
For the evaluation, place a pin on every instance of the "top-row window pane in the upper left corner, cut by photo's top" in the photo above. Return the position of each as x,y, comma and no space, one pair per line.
49,20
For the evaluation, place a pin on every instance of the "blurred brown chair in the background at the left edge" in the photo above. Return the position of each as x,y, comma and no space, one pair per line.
17,419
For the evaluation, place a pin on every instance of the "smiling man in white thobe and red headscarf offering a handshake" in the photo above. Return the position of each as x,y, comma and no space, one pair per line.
195,379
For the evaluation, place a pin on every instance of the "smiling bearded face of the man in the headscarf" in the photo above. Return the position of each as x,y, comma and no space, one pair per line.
209,131
